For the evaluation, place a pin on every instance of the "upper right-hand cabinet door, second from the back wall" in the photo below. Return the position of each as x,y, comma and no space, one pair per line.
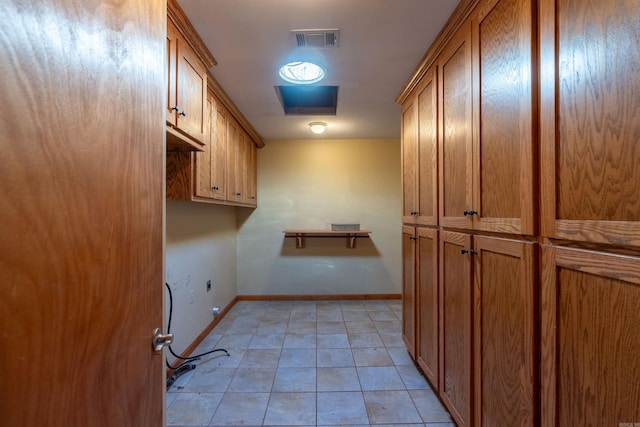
427,149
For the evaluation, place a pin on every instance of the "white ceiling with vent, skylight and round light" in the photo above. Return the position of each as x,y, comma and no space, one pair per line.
381,43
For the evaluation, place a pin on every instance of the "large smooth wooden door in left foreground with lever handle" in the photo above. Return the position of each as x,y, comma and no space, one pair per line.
81,258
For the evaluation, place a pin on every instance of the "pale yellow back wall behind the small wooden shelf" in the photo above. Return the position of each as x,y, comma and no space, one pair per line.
310,184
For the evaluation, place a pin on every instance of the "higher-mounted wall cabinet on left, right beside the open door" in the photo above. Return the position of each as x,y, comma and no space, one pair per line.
186,94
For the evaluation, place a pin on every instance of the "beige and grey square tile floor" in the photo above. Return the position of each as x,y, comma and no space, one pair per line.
306,363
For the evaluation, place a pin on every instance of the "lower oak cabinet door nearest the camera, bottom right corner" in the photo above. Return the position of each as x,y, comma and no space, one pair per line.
590,338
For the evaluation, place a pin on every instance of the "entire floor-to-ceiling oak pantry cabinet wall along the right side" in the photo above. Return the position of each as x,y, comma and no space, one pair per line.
537,253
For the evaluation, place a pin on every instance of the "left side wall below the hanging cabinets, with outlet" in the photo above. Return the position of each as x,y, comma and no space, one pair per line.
201,246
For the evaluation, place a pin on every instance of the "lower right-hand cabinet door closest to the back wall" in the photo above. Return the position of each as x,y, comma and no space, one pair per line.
409,289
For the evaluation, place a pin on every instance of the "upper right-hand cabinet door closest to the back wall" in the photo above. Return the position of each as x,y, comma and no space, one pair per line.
409,162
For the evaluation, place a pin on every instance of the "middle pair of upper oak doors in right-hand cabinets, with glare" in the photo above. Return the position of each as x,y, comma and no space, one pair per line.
487,118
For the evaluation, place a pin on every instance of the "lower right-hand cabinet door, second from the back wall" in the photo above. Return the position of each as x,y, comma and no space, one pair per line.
427,302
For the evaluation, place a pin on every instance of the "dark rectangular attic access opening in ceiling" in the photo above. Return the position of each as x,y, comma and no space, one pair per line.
308,100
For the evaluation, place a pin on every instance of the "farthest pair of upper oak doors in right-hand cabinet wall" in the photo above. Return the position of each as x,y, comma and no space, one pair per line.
419,153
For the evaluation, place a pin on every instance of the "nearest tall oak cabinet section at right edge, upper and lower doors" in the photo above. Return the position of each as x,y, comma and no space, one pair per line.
590,163
